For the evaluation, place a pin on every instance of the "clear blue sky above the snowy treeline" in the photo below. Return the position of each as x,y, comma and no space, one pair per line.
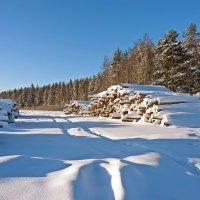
46,41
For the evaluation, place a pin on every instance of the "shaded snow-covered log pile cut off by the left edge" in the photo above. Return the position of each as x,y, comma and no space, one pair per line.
8,111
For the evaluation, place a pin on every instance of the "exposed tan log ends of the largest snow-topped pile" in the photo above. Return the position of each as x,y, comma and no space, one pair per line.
119,102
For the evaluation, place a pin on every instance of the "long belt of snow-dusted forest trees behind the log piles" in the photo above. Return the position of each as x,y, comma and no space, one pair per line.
173,62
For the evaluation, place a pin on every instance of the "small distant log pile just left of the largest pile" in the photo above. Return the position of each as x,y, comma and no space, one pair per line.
77,107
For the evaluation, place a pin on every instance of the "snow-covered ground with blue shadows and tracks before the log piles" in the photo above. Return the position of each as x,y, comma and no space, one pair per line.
51,156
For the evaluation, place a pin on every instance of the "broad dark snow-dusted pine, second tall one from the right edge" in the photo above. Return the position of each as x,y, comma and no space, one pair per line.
170,56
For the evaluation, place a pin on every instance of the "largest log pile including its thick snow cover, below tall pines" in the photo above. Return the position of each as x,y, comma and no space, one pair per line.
140,103
